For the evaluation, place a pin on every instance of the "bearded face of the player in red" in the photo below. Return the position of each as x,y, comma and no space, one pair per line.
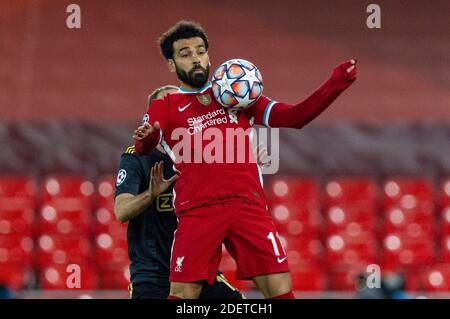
190,62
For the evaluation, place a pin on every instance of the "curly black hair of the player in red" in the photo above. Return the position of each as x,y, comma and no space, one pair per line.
182,30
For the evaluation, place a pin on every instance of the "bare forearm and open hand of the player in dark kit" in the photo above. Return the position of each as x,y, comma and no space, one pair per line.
127,206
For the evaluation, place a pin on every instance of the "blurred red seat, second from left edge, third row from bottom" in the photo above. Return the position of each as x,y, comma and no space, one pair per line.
64,221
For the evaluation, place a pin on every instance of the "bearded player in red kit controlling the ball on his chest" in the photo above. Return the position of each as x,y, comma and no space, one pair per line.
222,202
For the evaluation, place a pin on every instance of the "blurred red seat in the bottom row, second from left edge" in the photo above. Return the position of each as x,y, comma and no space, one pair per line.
62,277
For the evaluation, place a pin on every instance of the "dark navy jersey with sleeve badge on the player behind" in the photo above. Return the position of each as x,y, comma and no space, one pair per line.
150,234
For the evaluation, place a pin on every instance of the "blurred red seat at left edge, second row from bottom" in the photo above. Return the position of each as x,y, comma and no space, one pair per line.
16,249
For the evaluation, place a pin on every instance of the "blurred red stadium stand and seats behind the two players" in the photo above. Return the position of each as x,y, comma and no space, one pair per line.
368,182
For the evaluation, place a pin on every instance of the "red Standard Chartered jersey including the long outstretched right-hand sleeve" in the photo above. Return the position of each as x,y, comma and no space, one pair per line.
197,116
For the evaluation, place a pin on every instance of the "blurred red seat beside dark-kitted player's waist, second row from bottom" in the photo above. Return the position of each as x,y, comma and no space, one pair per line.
111,250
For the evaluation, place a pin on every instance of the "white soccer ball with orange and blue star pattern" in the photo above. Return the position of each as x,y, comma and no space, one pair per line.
237,84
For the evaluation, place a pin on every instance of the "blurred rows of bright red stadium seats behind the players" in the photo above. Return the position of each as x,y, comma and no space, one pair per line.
330,232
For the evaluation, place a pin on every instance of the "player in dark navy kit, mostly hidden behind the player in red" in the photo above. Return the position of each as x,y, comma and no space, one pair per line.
144,198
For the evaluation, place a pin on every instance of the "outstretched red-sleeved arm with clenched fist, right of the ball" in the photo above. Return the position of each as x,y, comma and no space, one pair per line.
296,116
